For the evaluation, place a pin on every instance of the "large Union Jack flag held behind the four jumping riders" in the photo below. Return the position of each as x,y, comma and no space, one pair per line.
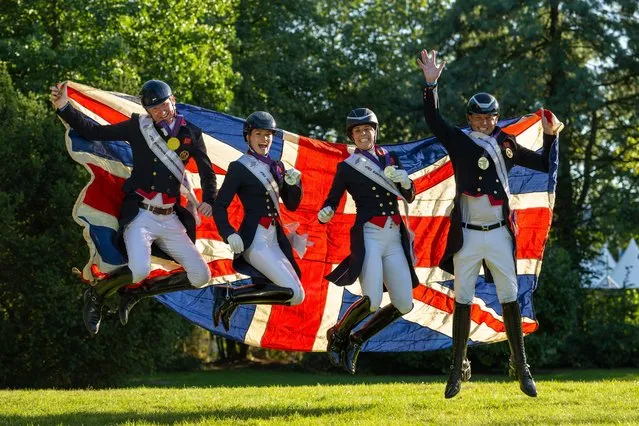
303,328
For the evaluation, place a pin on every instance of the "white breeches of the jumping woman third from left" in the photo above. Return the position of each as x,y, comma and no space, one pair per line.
385,263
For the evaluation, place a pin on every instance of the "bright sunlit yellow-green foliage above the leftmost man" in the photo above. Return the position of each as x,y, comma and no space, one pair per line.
117,45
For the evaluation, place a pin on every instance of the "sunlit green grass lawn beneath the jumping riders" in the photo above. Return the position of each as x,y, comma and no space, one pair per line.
259,395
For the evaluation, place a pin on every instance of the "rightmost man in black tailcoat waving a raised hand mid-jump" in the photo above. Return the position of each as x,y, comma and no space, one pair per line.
482,229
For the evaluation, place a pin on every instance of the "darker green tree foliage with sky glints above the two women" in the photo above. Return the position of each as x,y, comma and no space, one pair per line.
310,63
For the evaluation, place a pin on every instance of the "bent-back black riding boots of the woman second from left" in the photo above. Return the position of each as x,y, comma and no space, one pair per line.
226,300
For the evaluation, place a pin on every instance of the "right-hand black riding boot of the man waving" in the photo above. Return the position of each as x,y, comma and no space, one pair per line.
512,321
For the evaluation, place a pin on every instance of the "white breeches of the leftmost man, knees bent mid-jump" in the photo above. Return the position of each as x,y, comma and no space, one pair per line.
170,235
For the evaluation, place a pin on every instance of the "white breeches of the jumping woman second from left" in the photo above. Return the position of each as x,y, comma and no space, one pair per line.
265,255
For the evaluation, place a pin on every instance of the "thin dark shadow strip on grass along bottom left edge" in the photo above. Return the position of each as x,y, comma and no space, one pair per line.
238,414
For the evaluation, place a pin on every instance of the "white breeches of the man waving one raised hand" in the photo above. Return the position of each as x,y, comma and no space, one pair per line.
496,248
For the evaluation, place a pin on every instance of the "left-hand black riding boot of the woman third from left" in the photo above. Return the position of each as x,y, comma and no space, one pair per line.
337,335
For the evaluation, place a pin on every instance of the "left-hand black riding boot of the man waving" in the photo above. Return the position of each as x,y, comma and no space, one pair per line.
460,368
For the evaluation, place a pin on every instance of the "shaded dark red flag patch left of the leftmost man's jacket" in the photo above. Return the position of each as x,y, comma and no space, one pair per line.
105,192
